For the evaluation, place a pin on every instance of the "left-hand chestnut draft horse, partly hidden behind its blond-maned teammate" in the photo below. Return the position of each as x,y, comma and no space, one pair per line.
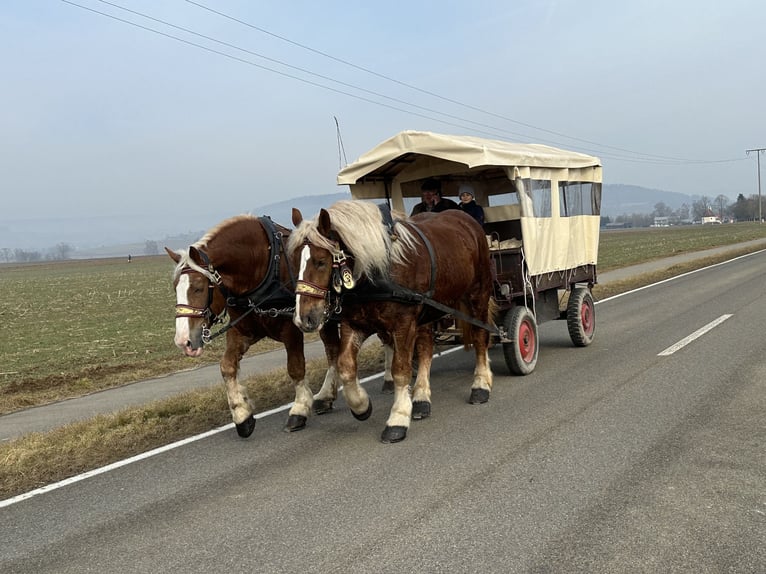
239,267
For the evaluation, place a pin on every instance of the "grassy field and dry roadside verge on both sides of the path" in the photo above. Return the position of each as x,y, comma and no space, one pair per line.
78,326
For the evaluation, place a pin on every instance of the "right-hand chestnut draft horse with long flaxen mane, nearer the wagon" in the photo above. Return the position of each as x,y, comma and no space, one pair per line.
390,275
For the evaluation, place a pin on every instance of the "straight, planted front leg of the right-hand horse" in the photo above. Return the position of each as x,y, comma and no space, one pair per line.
401,411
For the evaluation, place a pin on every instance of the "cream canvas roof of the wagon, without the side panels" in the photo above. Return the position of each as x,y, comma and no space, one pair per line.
469,152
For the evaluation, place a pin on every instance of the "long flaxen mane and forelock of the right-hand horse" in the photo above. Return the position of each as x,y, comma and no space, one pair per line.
360,226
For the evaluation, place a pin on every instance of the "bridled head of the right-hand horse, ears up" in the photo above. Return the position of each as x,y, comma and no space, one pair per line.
315,257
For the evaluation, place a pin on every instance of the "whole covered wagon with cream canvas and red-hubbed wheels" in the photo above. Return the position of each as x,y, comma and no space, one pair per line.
541,207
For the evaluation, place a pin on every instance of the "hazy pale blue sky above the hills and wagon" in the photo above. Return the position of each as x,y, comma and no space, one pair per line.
98,116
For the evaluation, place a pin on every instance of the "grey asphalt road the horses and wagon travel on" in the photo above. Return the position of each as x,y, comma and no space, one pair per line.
636,454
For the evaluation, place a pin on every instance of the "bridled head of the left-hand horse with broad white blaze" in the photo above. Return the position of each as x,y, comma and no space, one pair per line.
198,302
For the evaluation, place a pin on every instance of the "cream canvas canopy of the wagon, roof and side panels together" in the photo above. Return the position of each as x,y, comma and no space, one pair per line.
395,169
